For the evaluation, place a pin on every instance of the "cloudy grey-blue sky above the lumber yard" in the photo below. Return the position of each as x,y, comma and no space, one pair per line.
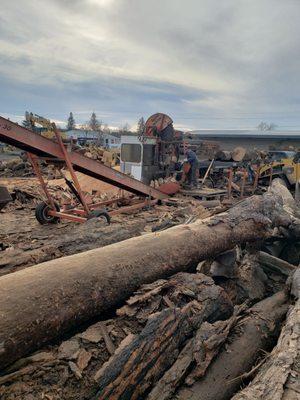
207,63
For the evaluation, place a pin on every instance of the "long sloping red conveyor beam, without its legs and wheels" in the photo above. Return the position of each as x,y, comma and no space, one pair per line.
34,143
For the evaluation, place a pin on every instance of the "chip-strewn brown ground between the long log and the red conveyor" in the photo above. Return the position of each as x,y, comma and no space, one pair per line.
24,242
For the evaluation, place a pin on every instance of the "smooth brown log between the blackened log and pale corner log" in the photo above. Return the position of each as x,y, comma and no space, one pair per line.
252,335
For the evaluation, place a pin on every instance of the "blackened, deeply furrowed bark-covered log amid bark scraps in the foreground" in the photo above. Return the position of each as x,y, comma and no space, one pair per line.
130,373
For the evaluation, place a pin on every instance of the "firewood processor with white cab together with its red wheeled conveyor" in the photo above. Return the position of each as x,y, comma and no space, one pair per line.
153,155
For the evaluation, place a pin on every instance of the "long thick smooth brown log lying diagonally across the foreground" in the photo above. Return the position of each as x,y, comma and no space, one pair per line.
42,302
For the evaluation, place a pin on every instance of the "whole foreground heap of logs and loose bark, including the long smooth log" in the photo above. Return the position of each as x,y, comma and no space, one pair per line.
205,309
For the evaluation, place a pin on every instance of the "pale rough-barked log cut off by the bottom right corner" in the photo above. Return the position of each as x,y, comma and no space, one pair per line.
279,377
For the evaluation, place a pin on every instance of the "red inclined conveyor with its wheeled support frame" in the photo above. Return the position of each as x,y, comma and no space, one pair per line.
39,147
